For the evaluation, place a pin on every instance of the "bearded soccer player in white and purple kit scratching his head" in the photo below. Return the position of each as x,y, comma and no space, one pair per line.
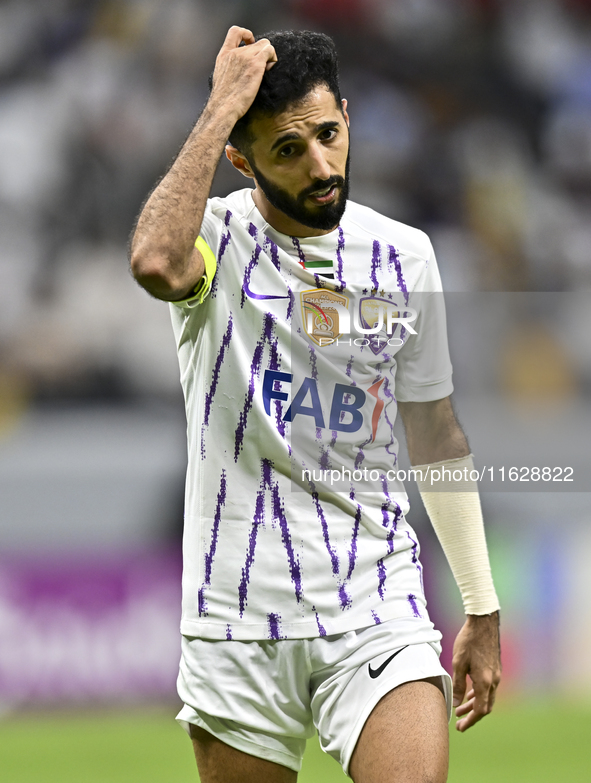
303,604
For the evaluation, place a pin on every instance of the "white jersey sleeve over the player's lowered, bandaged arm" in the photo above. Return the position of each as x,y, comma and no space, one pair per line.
424,369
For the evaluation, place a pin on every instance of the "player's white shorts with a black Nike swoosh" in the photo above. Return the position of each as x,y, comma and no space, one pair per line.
266,697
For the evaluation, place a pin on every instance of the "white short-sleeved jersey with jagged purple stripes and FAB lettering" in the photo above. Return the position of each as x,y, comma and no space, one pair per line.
271,550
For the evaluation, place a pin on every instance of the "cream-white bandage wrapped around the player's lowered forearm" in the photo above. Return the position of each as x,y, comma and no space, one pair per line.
454,510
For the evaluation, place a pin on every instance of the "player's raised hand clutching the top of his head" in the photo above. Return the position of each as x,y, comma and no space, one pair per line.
239,70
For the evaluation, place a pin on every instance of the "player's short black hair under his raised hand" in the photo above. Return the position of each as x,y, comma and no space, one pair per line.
305,59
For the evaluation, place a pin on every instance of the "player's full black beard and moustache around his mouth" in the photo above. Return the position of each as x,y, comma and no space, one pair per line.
323,217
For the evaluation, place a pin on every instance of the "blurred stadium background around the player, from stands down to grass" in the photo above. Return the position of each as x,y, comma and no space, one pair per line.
471,119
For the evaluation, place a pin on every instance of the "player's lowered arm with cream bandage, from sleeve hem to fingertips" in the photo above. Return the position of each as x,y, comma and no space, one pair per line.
436,440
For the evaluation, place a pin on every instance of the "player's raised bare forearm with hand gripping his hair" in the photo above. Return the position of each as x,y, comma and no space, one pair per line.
163,256
